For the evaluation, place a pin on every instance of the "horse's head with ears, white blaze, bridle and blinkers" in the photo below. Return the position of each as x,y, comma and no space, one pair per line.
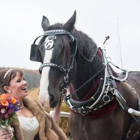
55,51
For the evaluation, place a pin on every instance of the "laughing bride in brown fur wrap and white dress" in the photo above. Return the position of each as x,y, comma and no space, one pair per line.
34,123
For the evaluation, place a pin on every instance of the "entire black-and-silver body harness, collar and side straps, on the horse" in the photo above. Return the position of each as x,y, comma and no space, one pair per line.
108,94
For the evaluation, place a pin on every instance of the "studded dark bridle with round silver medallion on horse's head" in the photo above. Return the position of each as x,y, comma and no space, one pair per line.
49,44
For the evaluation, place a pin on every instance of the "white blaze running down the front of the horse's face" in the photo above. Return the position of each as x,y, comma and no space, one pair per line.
44,81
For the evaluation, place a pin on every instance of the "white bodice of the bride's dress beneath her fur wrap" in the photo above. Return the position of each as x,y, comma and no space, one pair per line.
30,127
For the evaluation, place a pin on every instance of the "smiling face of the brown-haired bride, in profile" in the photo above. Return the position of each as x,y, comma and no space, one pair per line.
18,87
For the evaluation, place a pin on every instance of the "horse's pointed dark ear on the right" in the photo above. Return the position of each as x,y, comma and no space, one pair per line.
69,25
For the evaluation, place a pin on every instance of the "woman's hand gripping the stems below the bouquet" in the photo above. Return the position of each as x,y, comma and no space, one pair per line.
5,134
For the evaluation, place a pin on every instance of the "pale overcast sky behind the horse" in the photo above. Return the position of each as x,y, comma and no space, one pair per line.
20,24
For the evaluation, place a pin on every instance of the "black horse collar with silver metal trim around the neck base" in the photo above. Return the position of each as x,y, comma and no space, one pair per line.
98,100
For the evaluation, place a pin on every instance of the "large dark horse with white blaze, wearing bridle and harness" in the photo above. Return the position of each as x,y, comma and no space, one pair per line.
102,102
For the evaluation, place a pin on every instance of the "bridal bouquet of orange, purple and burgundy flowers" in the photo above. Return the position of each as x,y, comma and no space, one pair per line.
8,106
